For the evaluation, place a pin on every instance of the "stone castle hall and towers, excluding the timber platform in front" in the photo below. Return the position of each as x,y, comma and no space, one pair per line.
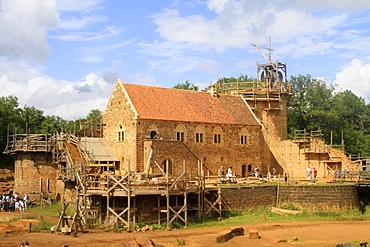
142,125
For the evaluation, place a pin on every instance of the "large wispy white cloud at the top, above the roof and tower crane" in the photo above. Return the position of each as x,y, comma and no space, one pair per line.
238,23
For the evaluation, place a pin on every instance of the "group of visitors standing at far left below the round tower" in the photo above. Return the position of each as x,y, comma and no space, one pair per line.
11,202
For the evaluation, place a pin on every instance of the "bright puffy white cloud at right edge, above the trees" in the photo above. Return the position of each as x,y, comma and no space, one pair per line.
355,77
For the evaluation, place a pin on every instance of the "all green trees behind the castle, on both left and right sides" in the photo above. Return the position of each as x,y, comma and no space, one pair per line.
314,105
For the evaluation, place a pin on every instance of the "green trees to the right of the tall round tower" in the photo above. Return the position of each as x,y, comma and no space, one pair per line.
315,105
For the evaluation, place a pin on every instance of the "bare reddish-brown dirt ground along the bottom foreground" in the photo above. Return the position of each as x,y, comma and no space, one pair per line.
271,234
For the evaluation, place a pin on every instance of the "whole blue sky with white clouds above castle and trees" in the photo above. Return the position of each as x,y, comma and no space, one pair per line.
65,56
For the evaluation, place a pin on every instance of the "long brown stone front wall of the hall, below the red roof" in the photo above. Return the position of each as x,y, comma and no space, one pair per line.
230,152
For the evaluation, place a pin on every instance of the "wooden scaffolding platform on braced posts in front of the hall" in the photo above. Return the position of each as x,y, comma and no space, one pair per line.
104,194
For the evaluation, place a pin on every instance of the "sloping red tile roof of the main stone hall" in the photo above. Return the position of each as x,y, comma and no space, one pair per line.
159,103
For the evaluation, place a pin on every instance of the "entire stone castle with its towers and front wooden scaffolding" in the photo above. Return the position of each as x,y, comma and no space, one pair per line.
158,147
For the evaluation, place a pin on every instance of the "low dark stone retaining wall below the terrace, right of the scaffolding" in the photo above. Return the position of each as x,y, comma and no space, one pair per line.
330,197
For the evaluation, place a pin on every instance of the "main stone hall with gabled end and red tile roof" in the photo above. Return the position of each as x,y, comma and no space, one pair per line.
175,125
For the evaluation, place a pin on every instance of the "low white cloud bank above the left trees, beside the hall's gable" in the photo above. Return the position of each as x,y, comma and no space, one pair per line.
67,99
